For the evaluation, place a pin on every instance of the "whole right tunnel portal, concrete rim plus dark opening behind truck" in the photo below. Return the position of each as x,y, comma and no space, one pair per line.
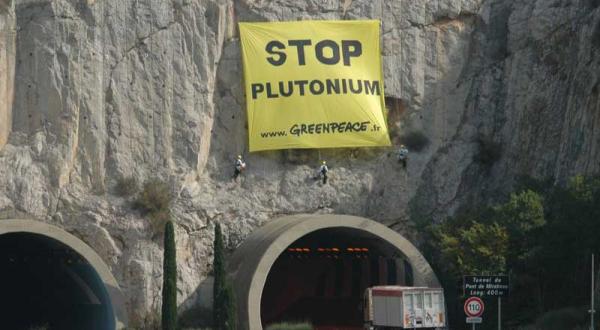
316,267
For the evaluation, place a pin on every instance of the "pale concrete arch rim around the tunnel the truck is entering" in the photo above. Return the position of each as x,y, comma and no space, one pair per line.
253,259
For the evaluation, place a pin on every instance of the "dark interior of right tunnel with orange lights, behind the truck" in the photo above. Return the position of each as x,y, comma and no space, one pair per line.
321,278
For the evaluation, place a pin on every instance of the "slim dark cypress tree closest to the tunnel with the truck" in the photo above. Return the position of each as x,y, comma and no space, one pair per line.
219,295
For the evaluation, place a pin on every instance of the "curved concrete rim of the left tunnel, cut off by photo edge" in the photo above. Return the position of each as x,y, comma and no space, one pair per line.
115,295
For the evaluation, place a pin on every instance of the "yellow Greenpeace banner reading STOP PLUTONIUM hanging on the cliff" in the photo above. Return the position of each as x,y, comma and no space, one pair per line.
313,84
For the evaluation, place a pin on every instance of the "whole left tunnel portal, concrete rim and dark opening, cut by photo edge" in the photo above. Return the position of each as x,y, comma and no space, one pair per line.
51,279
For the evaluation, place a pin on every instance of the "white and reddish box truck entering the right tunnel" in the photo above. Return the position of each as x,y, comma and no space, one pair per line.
404,307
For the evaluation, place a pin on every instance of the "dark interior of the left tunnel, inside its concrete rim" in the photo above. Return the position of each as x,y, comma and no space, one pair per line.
48,285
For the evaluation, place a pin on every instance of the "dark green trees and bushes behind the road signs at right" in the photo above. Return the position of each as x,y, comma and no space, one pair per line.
543,236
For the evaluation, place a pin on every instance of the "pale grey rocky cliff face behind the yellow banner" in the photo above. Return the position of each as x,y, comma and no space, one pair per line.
110,89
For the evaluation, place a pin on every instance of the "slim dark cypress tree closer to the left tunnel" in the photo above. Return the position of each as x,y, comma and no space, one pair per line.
169,294
